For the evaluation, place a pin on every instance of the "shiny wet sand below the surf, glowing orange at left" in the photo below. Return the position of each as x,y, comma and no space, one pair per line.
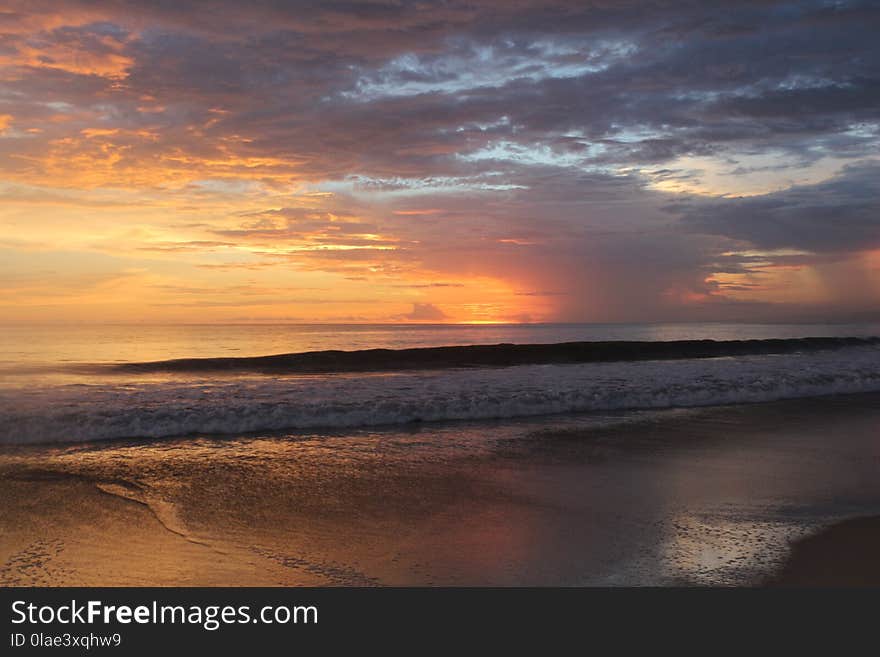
711,496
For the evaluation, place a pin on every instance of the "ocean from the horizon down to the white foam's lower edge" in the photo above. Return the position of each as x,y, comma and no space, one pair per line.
85,383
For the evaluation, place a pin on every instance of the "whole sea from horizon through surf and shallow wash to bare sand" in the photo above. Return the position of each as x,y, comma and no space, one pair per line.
178,455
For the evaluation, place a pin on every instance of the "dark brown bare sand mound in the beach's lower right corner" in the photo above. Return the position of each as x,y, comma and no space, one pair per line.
843,555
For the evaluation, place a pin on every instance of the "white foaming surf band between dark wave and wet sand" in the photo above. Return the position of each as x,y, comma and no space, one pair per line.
144,409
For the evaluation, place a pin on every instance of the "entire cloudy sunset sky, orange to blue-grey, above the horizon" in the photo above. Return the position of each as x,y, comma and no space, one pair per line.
473,162
